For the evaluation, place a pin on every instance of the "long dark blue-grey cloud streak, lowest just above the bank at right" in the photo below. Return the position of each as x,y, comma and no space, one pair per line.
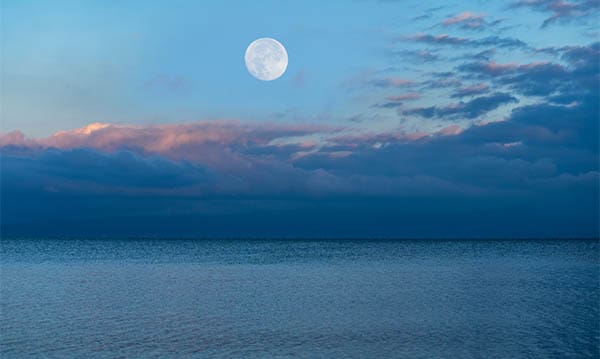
470,109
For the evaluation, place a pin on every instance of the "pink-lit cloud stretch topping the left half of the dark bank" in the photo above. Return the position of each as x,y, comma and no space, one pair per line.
218,144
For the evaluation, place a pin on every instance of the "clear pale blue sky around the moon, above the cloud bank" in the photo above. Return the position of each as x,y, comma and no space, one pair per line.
67,64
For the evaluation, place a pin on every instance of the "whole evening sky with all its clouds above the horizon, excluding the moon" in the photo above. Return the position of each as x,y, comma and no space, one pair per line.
393,119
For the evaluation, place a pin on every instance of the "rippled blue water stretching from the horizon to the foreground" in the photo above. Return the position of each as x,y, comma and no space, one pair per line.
361,298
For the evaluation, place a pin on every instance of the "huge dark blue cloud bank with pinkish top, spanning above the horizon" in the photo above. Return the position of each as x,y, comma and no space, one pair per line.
239,183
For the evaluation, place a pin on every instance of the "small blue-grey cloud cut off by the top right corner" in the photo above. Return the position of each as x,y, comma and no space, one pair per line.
561,10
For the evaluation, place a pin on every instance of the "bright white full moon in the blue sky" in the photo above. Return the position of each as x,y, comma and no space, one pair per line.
266,59
